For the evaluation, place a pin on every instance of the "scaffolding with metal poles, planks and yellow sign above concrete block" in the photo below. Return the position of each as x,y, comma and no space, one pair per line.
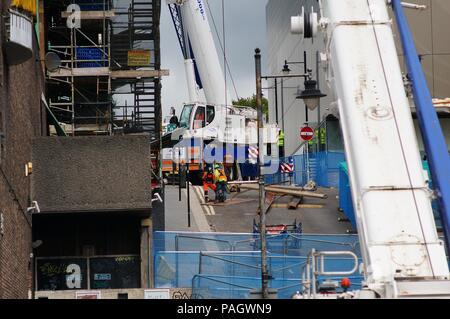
108,81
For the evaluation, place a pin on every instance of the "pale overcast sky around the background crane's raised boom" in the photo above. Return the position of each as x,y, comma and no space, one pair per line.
245,22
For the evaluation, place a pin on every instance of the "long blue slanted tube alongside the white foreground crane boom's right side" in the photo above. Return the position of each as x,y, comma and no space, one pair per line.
434,140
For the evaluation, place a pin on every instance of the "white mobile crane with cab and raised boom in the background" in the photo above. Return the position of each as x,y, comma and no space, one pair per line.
223,122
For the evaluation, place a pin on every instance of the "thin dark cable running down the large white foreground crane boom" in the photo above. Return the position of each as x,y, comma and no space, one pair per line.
399,135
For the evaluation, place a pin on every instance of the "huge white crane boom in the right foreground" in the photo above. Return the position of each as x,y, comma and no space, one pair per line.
401,251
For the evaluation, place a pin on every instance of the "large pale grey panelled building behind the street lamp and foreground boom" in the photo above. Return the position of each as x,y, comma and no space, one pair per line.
432,44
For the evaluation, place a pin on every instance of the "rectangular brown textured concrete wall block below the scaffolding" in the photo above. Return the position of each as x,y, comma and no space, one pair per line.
92,173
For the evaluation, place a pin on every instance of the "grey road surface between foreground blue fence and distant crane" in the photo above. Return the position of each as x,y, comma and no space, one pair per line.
240,209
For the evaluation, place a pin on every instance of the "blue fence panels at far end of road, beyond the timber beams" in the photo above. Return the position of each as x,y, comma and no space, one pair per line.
323,168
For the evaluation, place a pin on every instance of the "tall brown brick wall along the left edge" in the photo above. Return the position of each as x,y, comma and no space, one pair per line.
20,92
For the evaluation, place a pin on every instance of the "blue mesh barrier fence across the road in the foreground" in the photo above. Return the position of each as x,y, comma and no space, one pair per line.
228,265
